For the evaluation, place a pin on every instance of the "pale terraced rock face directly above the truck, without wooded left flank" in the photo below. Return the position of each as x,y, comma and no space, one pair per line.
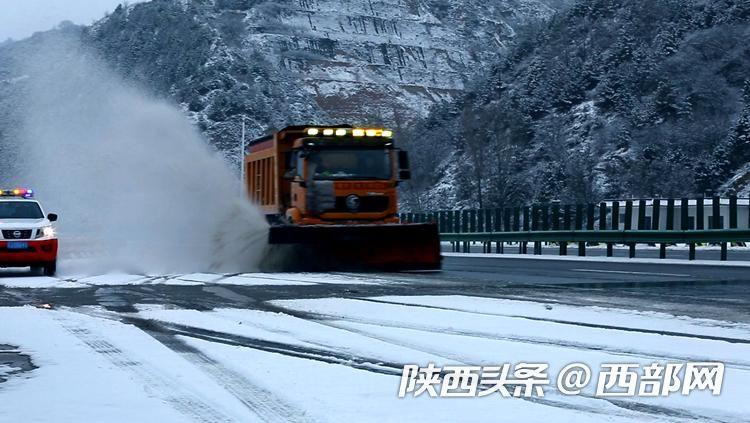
384,61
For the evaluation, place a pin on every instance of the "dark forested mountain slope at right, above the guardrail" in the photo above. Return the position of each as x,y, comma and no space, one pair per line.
608,99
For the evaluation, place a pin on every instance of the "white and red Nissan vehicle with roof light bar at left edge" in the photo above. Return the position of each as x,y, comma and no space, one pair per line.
27,237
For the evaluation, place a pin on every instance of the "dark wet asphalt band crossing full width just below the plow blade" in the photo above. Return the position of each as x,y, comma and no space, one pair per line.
697,290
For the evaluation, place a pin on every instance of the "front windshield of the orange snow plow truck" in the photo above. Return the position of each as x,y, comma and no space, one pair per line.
349,164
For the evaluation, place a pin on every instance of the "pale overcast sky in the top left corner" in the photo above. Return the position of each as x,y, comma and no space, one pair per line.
21,18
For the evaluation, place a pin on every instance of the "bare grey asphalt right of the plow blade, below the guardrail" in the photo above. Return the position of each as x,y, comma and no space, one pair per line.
695,290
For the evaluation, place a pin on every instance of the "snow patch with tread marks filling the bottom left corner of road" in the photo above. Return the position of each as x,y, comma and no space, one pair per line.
91,369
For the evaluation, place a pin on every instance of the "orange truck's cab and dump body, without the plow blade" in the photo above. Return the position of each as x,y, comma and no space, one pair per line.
327,175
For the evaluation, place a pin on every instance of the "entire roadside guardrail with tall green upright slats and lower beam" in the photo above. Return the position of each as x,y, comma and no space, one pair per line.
712,220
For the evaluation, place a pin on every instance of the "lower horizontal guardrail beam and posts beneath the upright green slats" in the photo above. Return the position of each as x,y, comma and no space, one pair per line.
461,241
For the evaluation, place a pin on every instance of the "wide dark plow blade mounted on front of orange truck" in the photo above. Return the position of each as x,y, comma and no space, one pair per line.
358,247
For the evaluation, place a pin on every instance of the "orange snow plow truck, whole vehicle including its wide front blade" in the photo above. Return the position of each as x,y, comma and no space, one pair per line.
330,195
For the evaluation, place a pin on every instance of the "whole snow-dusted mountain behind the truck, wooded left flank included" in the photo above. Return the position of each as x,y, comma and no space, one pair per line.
281,62
